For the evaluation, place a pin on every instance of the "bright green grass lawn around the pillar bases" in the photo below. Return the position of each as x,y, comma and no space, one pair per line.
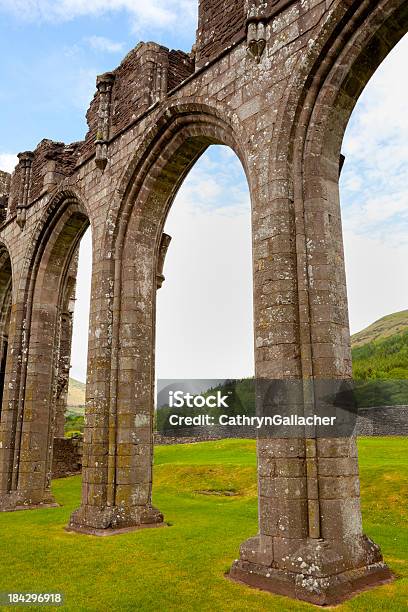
182,567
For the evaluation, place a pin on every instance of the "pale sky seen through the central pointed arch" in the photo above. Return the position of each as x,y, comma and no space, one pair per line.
205,307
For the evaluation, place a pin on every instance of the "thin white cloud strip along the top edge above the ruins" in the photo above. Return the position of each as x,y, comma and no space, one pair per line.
155,13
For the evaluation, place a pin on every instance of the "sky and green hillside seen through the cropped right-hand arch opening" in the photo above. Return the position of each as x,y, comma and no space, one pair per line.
373,200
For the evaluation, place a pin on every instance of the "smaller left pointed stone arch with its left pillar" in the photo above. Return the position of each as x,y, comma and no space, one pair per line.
43,290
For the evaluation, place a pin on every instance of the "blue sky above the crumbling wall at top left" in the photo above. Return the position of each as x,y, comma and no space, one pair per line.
51,52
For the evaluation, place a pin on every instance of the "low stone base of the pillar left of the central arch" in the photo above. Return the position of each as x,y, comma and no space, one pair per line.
108,521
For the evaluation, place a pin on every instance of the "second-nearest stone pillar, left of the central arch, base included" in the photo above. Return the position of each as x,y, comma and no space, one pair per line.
118,437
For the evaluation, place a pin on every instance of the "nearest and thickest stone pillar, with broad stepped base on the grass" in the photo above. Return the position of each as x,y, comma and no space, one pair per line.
310,543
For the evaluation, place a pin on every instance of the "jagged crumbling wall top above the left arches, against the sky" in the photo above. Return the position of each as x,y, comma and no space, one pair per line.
143,78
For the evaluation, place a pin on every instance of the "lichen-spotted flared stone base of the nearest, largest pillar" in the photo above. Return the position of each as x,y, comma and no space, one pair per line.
312,577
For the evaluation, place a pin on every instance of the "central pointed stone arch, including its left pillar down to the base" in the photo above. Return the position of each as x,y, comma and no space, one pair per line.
124,456
